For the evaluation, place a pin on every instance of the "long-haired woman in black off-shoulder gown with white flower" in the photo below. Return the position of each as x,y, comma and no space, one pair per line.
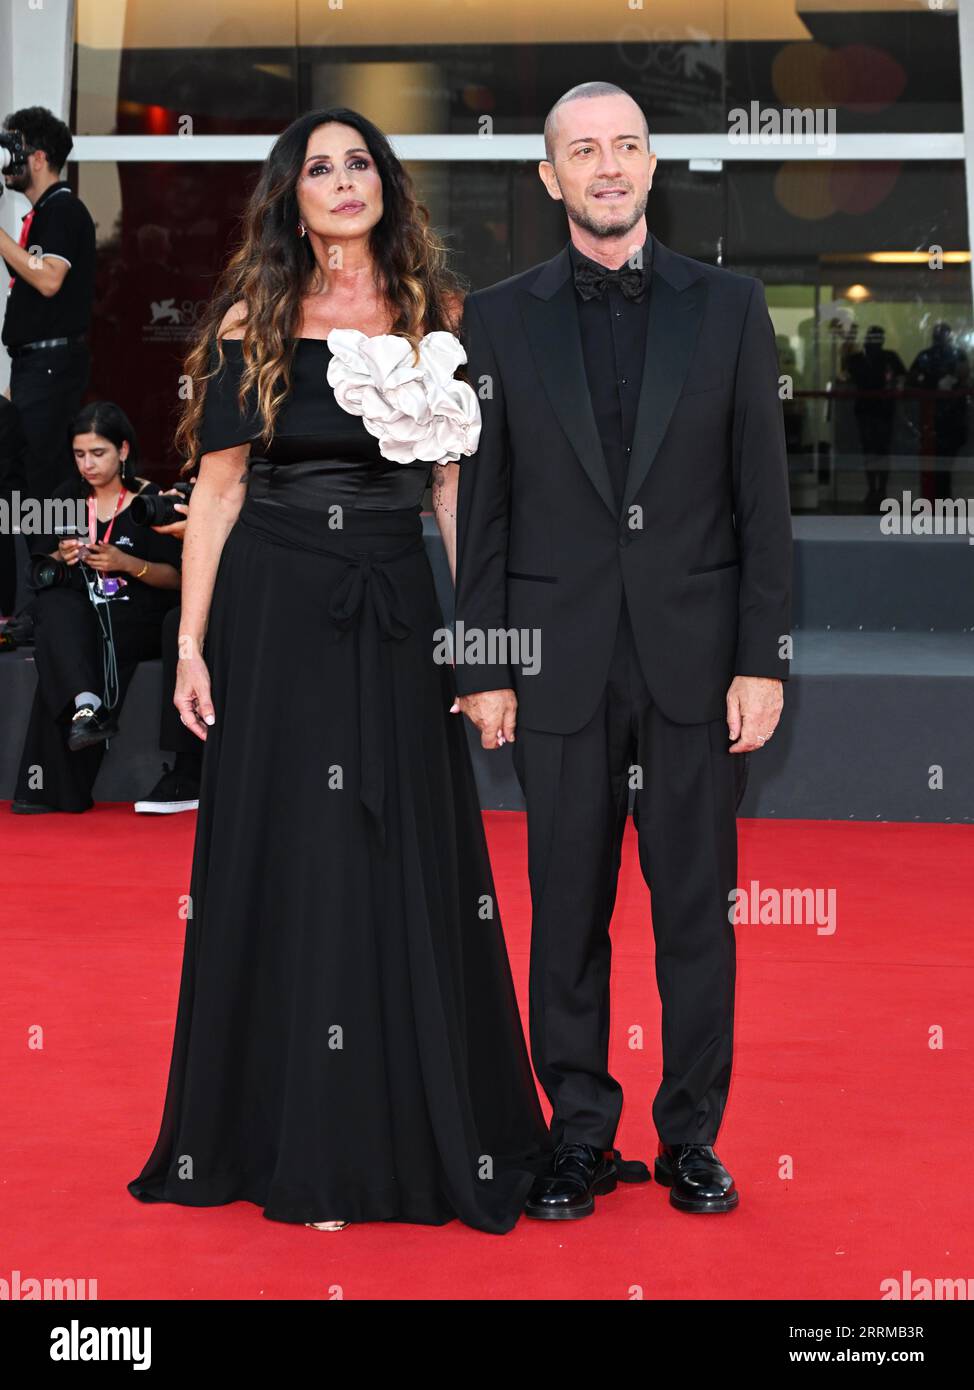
348,1045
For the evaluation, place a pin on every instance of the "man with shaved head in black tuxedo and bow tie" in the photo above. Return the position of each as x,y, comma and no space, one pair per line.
629,509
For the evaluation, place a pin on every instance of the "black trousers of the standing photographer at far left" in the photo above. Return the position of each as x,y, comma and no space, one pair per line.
48,387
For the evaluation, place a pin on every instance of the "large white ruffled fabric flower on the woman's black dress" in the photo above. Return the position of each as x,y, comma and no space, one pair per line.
416,411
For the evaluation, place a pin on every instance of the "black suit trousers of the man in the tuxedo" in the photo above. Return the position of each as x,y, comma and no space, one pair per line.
577,790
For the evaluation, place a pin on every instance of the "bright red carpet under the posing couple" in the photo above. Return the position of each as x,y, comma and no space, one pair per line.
834,1071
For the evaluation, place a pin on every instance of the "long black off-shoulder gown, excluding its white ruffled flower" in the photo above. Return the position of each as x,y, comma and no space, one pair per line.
348,1045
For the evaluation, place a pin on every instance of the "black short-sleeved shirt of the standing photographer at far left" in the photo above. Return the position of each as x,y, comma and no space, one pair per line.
62,227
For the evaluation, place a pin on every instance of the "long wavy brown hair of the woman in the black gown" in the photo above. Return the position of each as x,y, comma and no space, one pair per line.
273,270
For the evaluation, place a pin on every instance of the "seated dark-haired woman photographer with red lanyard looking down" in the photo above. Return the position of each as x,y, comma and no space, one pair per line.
102,596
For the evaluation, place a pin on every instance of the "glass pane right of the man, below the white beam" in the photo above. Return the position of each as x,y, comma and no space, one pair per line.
862,262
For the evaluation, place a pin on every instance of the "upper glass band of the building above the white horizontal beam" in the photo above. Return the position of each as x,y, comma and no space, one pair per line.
443,66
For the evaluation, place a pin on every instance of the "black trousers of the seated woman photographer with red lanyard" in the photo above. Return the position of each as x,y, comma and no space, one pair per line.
69,658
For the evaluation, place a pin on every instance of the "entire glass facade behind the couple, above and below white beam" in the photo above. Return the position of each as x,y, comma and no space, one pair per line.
864,261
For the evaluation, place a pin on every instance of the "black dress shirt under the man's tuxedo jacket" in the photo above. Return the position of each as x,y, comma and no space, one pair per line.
613,332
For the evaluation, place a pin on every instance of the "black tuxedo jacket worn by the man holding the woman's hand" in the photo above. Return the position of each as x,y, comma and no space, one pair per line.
702,547
